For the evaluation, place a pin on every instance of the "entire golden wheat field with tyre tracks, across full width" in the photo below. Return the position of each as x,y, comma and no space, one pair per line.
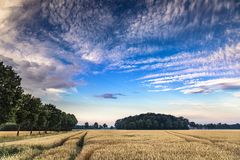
130,145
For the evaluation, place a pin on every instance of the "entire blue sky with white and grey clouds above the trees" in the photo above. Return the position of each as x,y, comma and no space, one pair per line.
107,59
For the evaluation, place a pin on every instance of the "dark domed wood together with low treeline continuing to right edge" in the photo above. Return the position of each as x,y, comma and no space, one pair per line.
151,121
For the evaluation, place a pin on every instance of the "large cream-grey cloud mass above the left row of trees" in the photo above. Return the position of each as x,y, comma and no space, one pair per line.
36,61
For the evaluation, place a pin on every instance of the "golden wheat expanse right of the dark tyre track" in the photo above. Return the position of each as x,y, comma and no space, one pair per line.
157,145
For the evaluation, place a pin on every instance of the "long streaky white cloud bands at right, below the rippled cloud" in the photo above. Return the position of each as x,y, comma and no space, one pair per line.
208,69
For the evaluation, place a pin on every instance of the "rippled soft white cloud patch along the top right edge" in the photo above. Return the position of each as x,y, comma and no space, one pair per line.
164,19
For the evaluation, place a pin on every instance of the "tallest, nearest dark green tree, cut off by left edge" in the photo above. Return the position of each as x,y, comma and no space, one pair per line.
10,93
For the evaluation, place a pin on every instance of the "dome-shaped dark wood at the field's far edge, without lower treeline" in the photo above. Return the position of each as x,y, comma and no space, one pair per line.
152,121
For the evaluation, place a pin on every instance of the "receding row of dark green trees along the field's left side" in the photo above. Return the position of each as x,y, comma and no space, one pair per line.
26,112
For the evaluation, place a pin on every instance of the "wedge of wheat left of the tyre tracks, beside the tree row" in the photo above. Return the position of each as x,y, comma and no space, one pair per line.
34,147
